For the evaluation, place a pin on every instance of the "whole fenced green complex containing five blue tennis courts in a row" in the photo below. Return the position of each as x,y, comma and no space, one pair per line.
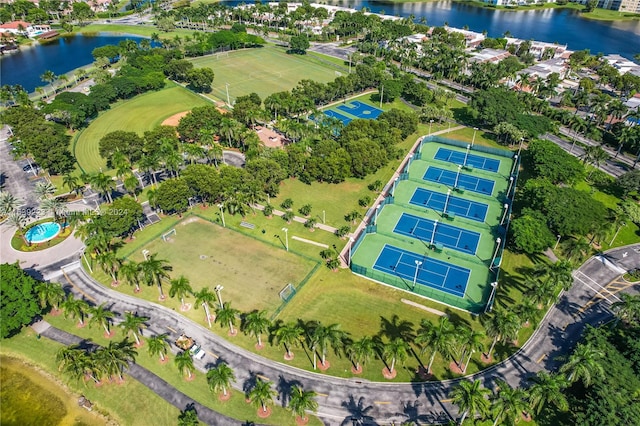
440,230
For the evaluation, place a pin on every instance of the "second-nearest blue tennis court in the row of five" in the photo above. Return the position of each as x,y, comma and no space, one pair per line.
428,231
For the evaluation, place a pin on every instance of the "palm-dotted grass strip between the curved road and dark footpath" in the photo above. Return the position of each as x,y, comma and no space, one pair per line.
197,389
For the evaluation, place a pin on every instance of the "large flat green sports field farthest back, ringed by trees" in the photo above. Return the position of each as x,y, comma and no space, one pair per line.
264,70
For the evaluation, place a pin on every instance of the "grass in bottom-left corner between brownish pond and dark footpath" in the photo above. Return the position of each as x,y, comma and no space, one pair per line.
130,403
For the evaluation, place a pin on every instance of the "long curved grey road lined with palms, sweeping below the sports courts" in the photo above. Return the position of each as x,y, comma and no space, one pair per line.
353,401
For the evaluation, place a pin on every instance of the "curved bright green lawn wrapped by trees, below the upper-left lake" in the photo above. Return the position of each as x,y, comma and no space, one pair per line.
138,115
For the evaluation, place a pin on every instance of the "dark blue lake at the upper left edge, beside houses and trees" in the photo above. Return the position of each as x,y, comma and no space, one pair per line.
60,56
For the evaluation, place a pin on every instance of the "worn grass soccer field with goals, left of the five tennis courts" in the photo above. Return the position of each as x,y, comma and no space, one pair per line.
252,272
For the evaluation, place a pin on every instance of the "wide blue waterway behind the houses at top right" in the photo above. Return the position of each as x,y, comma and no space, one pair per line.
551,25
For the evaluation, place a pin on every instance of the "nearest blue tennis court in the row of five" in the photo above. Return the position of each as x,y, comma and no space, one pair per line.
430,272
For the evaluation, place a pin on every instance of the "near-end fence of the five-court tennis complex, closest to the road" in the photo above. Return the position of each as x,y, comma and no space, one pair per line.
424,291
